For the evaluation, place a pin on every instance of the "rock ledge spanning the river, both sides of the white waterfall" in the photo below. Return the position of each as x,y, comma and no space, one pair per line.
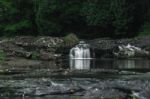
49,48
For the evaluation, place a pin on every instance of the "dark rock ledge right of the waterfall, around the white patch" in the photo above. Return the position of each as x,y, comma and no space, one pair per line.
104,47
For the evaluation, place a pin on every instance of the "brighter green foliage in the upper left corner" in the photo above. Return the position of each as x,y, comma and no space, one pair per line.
16,19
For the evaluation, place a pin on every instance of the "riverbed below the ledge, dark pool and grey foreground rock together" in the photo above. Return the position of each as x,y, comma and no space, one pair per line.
105,78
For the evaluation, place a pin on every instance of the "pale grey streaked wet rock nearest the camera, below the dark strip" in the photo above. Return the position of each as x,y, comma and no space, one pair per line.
87,88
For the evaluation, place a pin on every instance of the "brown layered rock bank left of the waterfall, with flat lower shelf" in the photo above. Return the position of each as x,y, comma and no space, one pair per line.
34,52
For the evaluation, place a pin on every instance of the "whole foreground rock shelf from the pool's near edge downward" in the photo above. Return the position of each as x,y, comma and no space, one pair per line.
61,84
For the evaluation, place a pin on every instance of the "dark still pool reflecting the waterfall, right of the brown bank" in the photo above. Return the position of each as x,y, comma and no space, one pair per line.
109,64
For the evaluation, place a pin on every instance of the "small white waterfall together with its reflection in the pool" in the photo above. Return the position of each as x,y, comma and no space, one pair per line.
80,56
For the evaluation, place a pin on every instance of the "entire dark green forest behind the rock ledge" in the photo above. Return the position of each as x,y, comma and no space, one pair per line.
85,18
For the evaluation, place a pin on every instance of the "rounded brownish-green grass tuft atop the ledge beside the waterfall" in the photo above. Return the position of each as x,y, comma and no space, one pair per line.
70,39
